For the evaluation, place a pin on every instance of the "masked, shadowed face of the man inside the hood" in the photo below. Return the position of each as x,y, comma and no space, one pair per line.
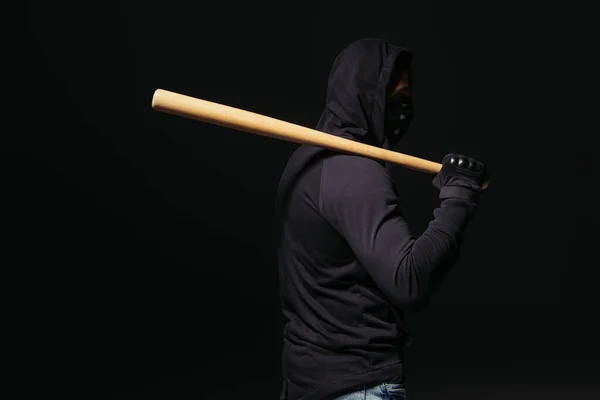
399,109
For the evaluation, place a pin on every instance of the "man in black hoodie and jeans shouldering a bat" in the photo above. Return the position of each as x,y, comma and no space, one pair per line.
348,262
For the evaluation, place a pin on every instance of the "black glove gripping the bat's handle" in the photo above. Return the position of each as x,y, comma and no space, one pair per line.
460,177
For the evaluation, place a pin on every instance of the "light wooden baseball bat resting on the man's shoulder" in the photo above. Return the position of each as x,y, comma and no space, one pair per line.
246,121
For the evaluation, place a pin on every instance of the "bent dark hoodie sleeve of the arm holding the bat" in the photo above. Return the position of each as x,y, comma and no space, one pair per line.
359,199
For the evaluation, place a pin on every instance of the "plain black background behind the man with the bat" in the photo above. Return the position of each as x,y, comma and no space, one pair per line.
138,247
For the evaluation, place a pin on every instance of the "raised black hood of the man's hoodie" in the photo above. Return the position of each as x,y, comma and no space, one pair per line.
355,105
